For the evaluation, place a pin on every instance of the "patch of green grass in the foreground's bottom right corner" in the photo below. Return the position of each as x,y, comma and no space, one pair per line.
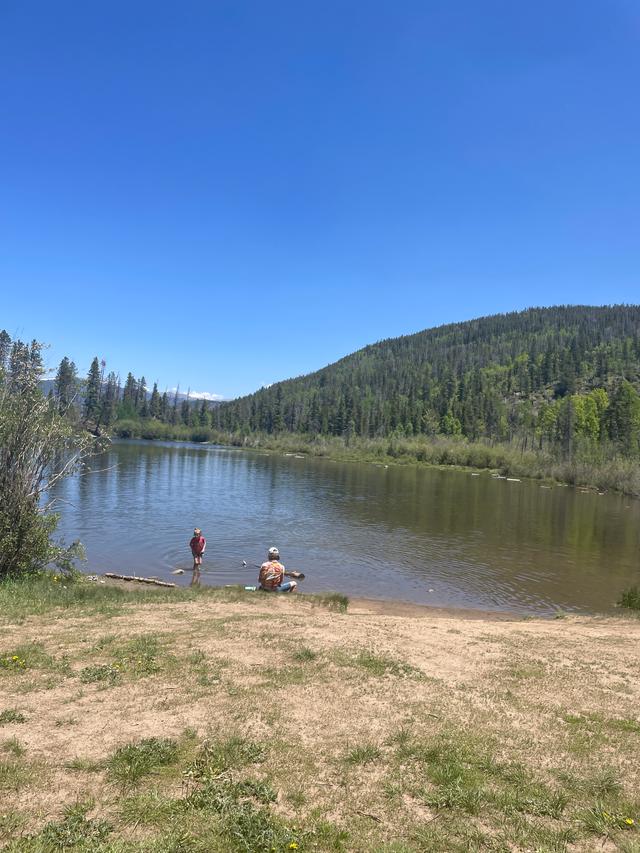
460,778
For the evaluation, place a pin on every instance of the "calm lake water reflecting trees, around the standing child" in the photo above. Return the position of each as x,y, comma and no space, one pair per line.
427,536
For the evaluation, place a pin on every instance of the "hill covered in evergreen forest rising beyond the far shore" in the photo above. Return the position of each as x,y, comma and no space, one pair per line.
544,375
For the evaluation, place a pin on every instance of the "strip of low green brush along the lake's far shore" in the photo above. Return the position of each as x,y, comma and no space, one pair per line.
617,474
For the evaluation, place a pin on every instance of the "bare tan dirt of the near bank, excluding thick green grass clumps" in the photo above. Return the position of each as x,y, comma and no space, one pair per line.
339,696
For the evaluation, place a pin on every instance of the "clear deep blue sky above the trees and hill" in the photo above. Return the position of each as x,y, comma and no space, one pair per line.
227,193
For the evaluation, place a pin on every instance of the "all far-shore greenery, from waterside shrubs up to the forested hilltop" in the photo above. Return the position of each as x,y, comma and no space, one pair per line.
550,392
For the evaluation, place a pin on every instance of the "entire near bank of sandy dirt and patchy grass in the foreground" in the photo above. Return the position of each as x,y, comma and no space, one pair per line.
180,720
